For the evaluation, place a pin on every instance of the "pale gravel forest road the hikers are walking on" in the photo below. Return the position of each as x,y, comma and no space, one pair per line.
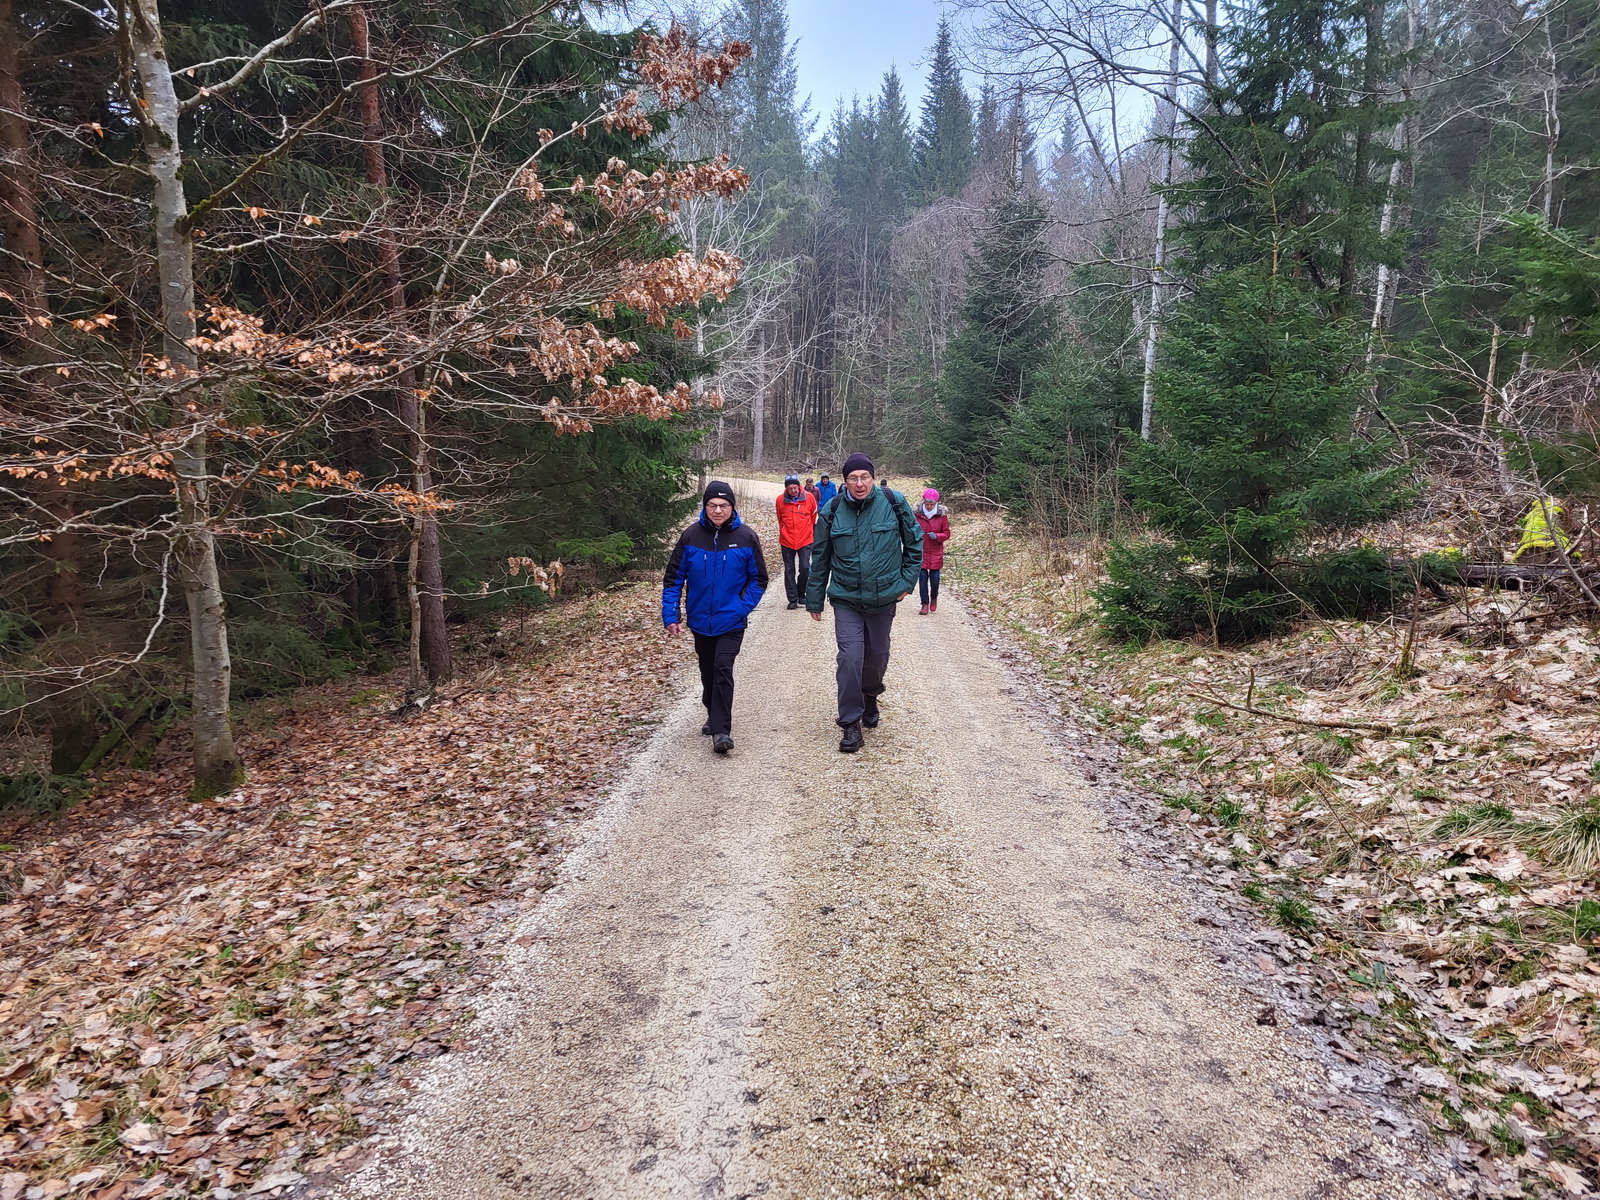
930,969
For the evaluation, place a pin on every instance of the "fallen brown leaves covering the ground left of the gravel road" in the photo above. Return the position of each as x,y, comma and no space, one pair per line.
223,994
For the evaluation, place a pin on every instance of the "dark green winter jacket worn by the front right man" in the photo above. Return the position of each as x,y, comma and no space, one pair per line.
865,556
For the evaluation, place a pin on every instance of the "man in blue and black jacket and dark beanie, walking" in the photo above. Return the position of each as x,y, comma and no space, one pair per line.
719,561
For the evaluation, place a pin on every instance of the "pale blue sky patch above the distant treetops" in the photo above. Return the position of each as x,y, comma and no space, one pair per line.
847,46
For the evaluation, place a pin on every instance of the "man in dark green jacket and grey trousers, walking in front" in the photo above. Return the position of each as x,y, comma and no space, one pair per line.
865,559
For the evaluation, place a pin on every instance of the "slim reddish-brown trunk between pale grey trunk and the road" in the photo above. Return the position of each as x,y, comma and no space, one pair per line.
428,574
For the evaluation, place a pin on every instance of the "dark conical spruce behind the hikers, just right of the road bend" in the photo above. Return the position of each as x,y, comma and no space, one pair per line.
1007,324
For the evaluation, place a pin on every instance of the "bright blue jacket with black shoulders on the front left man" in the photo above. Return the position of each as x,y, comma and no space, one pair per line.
726,575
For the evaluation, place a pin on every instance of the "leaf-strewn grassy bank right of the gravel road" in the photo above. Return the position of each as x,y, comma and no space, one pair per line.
1439,879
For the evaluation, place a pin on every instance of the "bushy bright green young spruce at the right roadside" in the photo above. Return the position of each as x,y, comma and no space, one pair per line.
1255,462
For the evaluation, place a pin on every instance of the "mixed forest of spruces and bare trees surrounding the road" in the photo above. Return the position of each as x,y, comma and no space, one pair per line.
330,327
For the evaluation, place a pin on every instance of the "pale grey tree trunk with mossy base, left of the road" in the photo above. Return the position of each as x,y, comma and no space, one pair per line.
217,764
